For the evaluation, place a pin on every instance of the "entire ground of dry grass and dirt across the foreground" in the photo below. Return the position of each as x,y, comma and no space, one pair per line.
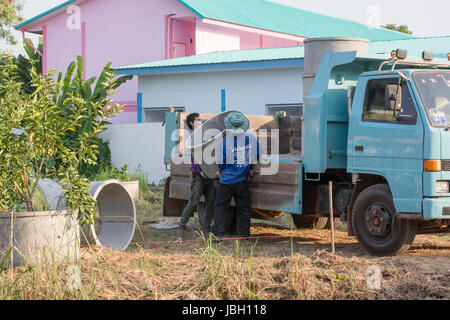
294,266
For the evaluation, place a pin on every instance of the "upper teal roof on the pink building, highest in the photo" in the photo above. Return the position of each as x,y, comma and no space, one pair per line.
272,16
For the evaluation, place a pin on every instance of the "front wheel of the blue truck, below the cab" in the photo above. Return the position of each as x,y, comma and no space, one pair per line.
375,224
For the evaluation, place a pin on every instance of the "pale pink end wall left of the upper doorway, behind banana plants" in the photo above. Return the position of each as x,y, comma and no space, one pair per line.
124,32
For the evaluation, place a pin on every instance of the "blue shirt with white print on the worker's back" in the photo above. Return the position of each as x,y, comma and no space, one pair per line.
236,156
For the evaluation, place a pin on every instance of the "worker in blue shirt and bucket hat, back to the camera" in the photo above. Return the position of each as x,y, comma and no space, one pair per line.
237,153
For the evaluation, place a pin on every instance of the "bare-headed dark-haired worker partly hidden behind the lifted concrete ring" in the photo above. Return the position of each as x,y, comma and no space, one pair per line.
200,185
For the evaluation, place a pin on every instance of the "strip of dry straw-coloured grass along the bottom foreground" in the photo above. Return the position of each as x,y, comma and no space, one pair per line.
205,274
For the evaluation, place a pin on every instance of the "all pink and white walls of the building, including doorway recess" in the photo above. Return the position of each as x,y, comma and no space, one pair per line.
137,31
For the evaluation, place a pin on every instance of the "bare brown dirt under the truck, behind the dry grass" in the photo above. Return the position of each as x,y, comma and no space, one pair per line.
421,273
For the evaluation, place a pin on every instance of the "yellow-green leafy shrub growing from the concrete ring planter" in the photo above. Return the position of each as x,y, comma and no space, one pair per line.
50,133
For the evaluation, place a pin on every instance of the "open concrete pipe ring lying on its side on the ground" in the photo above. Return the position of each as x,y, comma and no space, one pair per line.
117,216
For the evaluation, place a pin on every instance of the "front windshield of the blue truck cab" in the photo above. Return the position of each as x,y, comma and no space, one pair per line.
434,90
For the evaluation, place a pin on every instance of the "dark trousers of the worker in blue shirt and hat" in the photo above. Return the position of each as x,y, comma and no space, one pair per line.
241,193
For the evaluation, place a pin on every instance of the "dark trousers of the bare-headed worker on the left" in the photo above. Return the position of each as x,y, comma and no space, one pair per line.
199,187
